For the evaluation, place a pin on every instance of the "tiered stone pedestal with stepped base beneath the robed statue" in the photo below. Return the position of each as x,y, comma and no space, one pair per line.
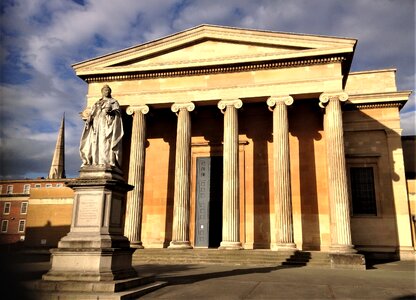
95,253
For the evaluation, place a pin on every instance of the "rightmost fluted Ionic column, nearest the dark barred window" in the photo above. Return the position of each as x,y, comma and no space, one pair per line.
337,174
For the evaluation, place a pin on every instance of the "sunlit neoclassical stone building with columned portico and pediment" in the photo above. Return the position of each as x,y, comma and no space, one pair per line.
247,139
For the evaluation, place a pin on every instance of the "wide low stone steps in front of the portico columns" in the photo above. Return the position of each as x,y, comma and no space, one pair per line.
237,257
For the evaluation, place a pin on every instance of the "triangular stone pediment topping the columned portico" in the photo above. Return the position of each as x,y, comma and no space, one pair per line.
208,45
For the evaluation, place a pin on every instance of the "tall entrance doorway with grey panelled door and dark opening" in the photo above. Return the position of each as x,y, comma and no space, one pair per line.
208,211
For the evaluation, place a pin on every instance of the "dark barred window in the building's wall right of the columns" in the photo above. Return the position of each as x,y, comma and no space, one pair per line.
363,192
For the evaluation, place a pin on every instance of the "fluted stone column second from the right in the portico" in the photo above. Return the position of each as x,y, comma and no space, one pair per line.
281,163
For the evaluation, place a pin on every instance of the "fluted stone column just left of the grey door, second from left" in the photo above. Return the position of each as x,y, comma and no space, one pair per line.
180,232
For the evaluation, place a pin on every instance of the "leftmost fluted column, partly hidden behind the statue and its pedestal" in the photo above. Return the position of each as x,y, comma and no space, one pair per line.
133,223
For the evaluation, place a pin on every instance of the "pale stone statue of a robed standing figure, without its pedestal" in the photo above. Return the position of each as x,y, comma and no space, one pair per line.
103,131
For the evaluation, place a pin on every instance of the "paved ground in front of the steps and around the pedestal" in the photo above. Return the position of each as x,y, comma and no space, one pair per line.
394,280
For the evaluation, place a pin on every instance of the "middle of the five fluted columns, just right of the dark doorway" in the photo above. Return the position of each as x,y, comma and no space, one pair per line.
231,186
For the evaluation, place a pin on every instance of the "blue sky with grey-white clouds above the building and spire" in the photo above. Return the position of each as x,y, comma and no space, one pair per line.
41,39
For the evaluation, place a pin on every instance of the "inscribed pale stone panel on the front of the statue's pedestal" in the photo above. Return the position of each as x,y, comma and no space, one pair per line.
88,213
